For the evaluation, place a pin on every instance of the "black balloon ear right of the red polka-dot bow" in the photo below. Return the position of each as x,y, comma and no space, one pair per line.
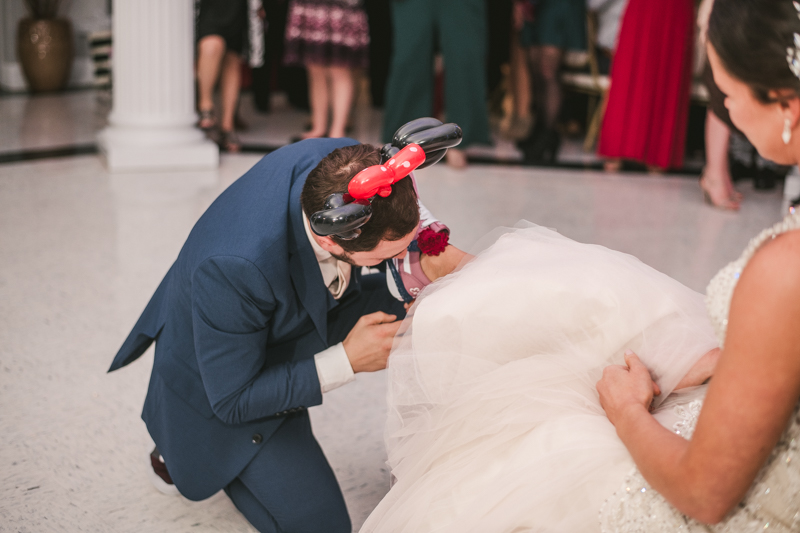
430,134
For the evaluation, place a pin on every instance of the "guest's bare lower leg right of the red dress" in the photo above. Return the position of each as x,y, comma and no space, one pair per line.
716,181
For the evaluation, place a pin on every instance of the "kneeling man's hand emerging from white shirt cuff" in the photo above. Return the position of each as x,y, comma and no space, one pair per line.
368,344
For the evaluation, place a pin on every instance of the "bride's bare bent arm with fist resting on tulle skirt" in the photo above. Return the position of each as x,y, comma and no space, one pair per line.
755,388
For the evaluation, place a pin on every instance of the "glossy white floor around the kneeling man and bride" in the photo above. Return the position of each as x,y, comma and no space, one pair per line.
82,250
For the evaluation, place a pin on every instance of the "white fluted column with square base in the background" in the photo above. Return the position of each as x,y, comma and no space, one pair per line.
152,123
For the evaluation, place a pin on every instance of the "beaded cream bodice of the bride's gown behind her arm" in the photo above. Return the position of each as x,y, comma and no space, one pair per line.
773,501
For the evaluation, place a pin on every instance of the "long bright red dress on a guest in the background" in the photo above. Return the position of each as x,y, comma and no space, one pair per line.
648,102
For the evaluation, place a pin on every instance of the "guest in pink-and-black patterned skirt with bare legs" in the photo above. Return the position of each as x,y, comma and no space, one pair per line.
331,39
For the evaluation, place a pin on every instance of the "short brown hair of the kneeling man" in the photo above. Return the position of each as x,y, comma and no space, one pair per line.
393,217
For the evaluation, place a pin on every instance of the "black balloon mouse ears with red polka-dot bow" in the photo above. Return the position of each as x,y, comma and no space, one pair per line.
416,145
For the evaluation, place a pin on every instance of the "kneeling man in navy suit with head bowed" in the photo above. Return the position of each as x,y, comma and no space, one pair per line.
255,320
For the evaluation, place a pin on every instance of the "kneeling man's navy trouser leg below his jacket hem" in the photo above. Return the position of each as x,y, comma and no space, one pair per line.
289,485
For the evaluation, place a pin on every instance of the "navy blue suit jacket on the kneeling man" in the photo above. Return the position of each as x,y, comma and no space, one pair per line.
237,321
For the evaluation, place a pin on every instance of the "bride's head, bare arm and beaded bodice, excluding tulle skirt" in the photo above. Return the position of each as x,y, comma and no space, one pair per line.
739,471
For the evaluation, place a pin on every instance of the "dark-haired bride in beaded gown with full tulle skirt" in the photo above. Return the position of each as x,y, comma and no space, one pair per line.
495,419
